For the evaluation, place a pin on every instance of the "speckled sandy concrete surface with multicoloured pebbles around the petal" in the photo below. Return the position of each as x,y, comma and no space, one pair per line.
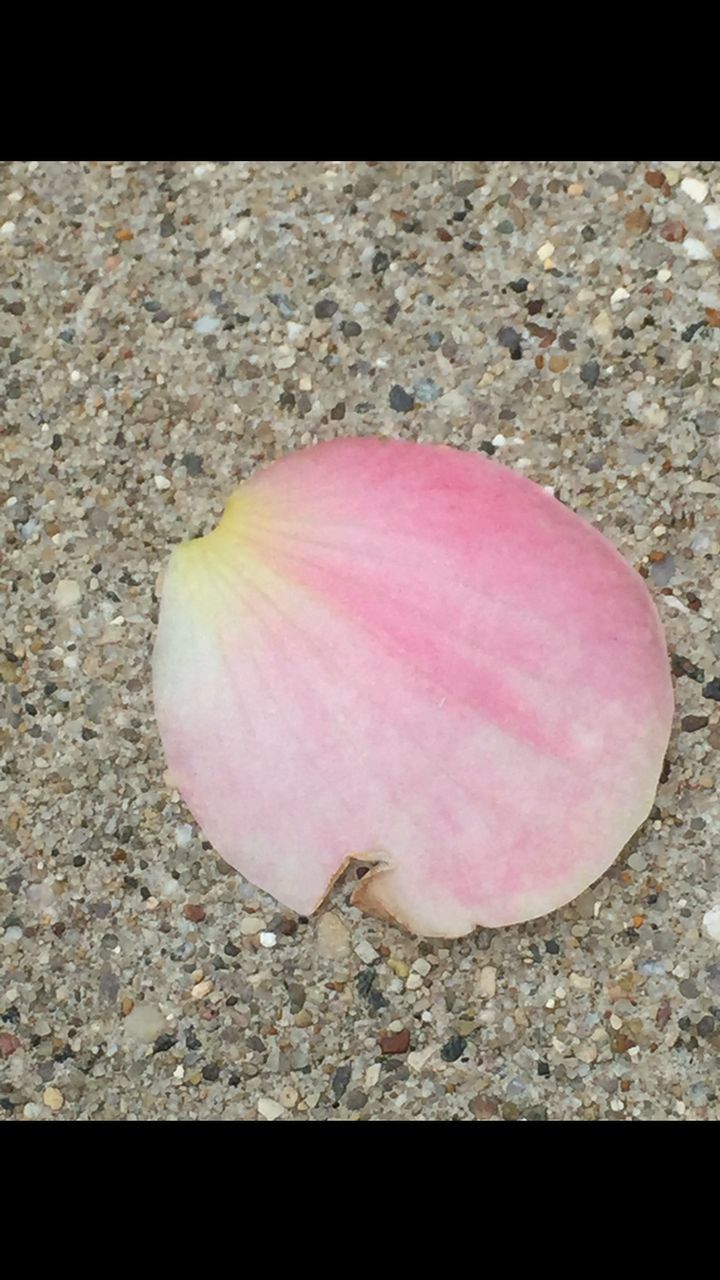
165,328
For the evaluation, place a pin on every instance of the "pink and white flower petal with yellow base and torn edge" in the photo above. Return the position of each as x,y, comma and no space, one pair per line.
413,656
